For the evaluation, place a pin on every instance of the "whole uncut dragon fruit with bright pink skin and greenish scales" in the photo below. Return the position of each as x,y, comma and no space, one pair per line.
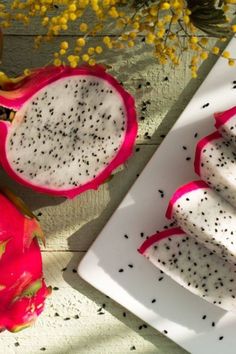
22,288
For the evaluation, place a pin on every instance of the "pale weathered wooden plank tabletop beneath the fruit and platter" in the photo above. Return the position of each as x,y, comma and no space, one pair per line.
73,322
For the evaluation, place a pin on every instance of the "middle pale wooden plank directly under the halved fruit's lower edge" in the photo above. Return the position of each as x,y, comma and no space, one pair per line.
74,224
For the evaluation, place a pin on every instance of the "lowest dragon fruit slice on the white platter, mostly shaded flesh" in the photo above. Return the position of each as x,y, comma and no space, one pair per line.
193,266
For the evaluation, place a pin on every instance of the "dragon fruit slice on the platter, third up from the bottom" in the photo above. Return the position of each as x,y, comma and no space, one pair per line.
215,163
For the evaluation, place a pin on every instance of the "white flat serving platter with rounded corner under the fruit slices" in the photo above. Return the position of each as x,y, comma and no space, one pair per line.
176,312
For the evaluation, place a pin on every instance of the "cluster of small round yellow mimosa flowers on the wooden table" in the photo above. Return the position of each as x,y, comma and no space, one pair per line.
163,24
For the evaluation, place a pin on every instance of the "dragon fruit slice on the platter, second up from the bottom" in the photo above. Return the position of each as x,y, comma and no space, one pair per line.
201,212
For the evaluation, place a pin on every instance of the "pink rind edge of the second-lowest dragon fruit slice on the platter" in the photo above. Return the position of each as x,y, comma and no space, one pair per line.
187,188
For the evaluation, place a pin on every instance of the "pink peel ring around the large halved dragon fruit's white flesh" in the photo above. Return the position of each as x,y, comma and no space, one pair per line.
39,79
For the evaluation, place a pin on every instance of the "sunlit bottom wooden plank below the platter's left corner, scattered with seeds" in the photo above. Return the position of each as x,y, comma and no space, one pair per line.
91,333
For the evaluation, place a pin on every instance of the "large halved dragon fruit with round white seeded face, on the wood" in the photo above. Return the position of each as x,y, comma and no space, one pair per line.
71,129
